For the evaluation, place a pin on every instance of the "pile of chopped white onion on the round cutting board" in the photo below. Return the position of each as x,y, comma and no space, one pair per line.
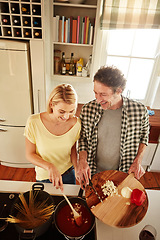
109,188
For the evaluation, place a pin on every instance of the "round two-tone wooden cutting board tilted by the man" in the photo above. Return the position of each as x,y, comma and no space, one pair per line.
115,210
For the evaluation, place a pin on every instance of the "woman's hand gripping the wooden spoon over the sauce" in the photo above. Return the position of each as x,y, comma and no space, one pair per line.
55,176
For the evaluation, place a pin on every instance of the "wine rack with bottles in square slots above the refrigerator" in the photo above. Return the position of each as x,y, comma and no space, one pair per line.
21,19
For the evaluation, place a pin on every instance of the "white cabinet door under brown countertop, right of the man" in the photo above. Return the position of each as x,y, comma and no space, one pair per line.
148,155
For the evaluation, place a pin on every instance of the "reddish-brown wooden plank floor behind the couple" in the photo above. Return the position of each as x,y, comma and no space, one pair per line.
149,180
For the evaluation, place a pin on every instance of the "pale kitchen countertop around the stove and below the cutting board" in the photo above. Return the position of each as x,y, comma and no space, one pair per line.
103,231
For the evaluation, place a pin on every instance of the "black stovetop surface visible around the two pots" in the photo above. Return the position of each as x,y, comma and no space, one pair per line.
10,232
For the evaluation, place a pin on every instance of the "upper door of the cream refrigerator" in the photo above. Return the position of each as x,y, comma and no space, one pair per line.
15,86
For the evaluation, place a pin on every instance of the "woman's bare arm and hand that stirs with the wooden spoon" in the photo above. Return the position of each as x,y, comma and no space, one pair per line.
54,175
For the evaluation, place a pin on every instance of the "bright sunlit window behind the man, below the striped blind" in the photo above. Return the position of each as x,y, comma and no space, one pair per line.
136,54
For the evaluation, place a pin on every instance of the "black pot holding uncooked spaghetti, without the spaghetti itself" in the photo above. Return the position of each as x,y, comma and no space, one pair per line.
41,196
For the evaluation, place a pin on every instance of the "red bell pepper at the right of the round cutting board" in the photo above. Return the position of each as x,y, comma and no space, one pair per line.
138,197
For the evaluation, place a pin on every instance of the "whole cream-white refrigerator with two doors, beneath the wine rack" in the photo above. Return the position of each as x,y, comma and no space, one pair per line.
16,101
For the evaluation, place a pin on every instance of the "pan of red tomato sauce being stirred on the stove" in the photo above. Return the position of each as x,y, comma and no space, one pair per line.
64,220
